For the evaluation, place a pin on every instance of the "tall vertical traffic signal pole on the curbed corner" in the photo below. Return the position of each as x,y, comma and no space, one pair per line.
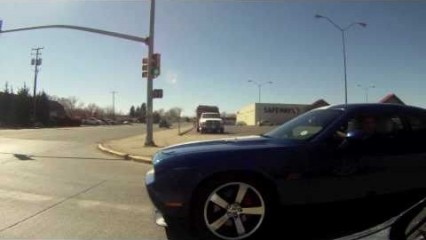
149,141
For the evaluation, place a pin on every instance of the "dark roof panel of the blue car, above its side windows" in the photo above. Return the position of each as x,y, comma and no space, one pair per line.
356,107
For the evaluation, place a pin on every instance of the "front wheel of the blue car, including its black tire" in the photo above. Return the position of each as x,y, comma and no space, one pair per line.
232,208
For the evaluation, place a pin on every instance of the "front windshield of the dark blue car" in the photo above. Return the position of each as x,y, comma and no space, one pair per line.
305,126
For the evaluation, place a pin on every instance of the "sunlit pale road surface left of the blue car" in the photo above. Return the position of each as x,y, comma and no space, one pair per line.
54,183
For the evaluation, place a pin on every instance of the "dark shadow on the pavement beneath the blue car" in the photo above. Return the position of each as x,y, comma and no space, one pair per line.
329,221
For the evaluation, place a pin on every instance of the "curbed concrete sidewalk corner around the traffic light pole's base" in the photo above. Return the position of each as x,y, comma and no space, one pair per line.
132,148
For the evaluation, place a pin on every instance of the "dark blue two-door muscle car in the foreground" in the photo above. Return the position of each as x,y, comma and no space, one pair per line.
230,188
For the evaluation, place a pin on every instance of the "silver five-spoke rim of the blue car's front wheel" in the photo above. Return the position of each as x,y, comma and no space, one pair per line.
234,211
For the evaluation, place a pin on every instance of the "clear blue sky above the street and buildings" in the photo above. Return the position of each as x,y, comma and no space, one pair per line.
211,48
